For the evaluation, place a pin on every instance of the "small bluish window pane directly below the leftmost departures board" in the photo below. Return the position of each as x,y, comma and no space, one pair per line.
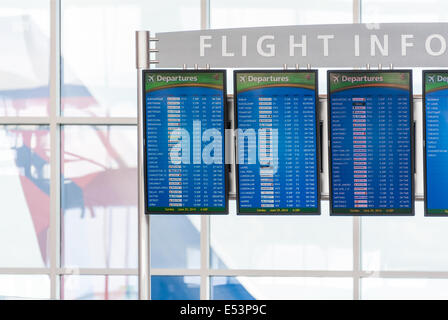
175,241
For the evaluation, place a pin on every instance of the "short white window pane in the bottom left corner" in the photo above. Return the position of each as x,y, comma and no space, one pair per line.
17,287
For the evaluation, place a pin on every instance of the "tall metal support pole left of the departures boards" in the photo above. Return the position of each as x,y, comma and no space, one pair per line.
142,49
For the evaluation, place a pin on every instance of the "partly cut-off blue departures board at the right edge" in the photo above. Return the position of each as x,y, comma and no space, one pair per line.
435,131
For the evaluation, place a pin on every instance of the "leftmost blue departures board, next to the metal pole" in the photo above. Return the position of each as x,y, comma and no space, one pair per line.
184,125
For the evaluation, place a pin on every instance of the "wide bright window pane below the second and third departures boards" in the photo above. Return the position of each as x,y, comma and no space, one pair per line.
281,242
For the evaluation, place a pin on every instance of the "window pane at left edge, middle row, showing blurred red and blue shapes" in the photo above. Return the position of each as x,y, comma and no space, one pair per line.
25,195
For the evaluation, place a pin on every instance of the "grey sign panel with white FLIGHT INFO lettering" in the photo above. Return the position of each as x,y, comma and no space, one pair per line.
341,45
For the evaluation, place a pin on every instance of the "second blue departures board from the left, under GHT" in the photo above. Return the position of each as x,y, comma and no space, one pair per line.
277,154
